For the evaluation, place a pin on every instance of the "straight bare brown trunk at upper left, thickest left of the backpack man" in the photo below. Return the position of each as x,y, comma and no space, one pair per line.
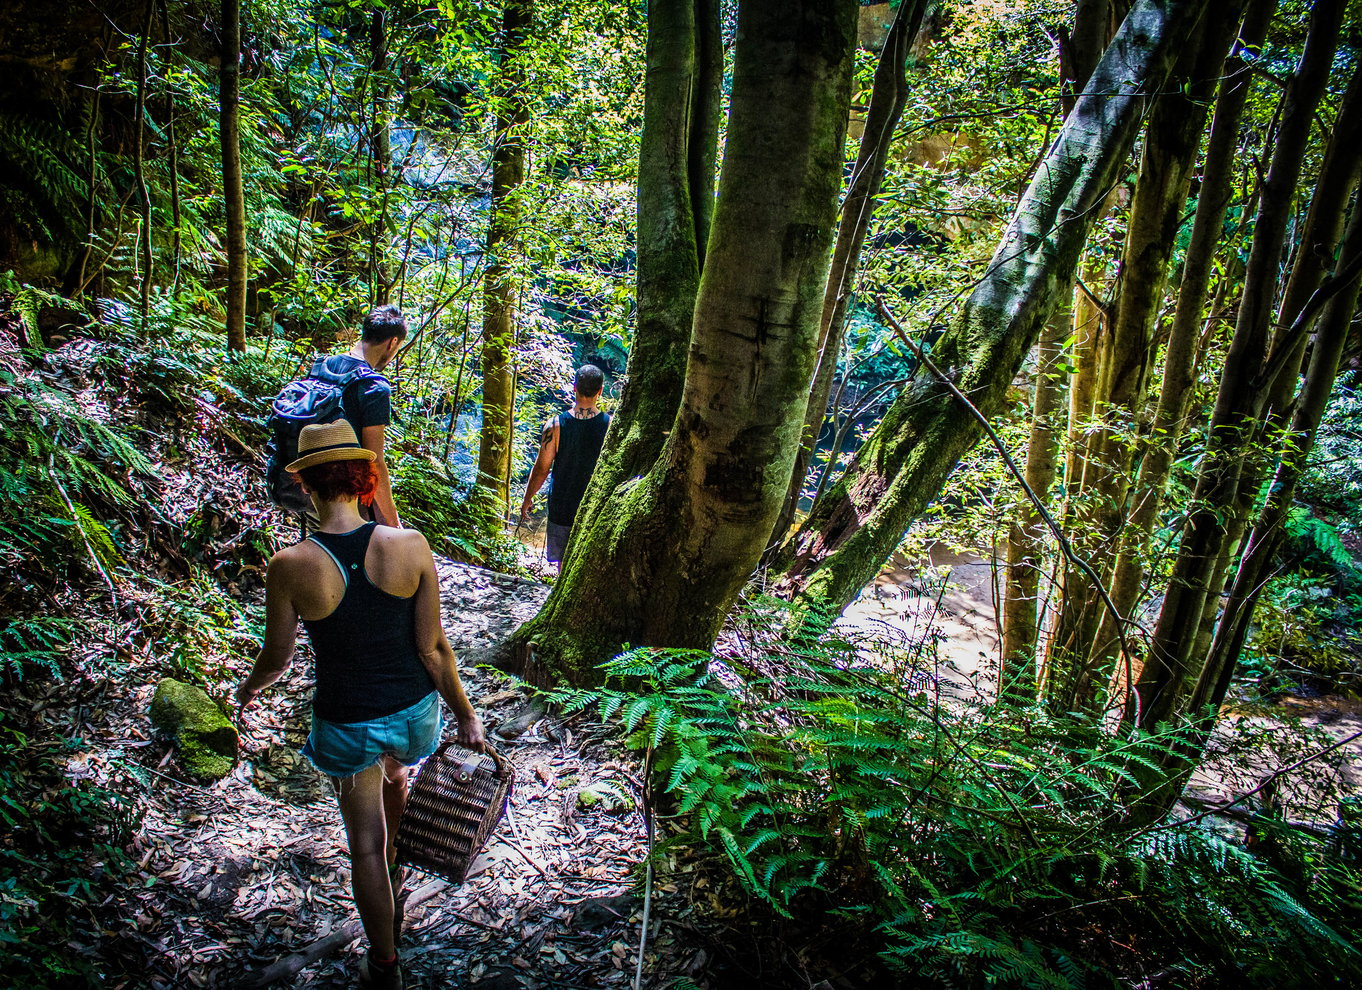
232,191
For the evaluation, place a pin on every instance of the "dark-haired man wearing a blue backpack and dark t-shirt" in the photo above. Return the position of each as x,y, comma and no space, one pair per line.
341,386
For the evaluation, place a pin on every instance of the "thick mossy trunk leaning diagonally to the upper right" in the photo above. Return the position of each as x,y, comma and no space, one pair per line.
908,458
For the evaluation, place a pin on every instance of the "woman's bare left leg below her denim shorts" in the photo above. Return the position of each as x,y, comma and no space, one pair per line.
363,810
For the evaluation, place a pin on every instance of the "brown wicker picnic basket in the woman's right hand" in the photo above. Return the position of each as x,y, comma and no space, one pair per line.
456,804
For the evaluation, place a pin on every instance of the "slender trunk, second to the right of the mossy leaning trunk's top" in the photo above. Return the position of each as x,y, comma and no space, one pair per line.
1180,357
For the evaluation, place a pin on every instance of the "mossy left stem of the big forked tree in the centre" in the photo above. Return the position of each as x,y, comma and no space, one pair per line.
678,159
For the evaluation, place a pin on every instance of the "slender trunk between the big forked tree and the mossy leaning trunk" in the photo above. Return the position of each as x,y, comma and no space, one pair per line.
889,95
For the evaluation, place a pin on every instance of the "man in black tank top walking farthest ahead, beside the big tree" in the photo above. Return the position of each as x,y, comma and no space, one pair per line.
569,449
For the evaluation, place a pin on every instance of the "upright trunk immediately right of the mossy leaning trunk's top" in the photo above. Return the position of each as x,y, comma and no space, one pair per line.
1171,150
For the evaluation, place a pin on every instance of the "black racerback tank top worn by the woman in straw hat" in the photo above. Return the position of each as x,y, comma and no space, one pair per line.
368,665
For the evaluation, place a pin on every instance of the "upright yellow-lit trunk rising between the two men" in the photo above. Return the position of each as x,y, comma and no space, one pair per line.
501,287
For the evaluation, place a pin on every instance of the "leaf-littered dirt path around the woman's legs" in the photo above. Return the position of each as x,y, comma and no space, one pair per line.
255,867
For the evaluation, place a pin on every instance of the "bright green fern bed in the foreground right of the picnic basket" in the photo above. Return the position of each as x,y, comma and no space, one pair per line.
983,846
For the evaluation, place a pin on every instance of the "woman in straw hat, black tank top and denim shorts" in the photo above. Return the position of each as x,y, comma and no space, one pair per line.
371,603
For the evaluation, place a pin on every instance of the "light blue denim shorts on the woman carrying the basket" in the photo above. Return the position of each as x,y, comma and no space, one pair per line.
343,750
